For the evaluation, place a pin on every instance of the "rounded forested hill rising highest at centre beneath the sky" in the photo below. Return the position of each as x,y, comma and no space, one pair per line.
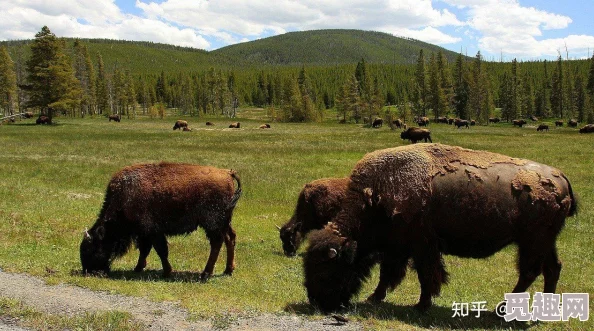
328,47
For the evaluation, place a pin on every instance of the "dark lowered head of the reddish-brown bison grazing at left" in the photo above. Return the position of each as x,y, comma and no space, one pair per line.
94,254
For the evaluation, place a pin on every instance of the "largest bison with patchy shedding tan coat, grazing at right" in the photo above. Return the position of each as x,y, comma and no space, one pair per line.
423,201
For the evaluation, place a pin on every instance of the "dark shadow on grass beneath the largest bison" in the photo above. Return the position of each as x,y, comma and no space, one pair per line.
435,317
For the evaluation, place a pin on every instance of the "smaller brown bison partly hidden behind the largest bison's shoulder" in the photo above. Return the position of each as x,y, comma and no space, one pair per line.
318,203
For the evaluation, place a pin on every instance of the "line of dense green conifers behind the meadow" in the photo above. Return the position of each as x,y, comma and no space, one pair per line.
58,79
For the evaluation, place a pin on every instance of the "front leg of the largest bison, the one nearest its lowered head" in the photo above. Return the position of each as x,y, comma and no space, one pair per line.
392,271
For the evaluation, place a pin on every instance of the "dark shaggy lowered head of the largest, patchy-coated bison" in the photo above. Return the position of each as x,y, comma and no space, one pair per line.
331,276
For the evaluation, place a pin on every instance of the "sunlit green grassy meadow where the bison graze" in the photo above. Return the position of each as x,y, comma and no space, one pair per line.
53,178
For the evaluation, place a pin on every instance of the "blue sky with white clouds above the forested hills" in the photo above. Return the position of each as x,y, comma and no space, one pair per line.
522,29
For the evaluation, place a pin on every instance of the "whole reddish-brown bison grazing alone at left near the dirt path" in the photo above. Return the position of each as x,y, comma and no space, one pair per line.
145,203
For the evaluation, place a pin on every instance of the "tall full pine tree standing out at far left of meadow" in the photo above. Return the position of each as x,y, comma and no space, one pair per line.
53,85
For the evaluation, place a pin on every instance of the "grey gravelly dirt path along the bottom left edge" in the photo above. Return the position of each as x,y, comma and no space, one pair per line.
73,300
